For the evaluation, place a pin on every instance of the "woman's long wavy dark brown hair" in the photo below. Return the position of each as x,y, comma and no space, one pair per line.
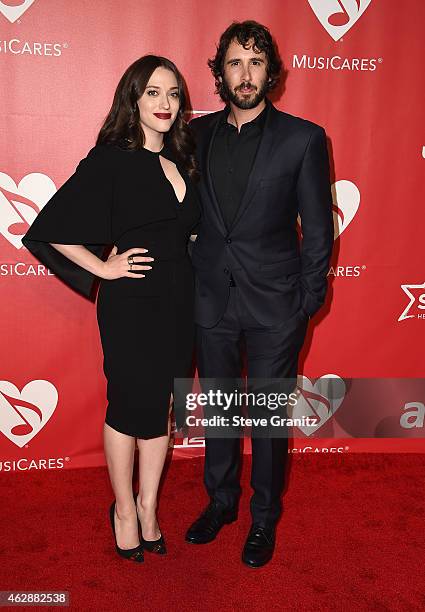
122,124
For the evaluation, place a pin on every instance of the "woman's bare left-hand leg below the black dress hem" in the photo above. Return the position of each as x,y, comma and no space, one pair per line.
119,453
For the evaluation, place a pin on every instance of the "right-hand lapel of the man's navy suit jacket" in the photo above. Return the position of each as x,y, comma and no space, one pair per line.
262,160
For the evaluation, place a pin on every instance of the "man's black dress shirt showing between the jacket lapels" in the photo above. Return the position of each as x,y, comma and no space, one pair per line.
232,156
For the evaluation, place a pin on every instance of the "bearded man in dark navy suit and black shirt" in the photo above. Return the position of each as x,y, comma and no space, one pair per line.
256,281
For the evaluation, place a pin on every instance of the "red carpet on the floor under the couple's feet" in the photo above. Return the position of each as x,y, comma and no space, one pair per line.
351,538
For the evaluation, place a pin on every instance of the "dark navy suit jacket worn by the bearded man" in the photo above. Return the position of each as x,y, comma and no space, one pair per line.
276,272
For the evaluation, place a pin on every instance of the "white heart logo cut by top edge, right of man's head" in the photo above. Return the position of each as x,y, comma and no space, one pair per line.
338,16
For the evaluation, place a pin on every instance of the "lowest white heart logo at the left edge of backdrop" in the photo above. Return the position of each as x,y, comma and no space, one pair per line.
23,414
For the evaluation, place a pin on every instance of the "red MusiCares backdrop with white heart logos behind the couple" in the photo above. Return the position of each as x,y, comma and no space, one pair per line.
353,66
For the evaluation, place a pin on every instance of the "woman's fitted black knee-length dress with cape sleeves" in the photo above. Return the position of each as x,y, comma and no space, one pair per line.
123,198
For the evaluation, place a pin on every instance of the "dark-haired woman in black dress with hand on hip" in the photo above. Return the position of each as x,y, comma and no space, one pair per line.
133,189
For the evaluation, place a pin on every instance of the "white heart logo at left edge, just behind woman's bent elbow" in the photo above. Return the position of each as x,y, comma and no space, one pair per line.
20,204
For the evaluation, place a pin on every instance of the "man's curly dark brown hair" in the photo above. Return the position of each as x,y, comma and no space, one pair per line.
244,33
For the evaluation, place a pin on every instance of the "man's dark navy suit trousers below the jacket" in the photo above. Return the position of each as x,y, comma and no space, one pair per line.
271,352
